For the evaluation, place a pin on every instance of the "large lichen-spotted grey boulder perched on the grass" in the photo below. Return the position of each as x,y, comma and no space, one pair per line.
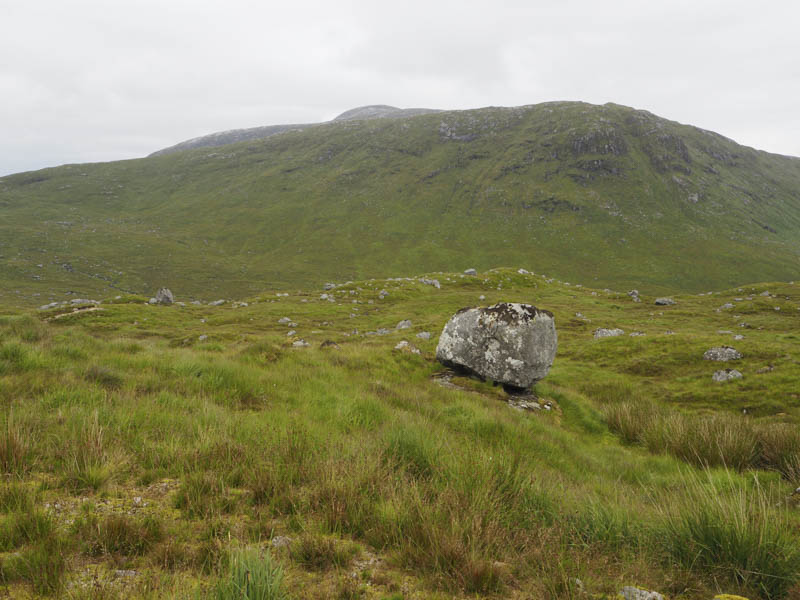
509,343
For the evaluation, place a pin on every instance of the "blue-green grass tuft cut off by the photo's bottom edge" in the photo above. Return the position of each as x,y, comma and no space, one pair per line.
251,576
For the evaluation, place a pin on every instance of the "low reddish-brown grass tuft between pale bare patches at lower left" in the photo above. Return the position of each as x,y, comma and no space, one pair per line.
117,534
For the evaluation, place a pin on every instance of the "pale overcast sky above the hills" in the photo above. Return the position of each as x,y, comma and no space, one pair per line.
97,80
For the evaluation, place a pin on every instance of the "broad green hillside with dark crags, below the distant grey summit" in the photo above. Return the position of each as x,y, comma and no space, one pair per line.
606,195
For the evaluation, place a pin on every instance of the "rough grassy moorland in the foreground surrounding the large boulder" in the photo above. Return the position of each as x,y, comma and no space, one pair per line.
193,451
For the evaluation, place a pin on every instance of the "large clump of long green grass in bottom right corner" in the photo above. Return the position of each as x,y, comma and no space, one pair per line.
740,535
